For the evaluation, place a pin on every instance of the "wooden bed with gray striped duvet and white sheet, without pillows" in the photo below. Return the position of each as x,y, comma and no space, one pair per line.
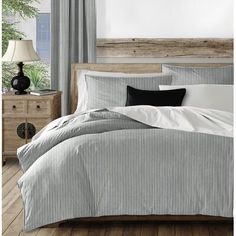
112,164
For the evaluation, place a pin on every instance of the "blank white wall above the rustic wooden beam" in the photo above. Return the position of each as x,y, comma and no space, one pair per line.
164,18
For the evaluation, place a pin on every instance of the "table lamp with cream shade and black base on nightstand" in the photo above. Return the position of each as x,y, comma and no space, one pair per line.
20,51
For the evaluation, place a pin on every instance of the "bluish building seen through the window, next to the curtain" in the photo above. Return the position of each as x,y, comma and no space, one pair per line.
43,36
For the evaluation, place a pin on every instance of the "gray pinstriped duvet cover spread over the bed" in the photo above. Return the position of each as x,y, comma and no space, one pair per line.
115,166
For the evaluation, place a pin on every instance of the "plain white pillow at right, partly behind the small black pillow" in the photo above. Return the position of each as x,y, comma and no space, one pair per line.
211,96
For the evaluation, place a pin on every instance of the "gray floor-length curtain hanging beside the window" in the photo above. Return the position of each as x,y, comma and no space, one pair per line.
73,40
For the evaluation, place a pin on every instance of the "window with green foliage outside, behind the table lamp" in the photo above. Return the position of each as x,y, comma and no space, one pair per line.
35,26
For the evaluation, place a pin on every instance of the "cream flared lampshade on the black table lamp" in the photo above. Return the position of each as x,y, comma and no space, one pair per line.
20,51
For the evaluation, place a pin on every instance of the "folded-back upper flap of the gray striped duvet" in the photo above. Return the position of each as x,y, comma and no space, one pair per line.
72,126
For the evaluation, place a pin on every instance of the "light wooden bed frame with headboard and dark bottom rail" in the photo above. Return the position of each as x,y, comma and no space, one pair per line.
133,68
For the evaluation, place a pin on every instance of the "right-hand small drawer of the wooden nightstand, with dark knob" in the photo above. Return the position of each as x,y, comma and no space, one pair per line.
41,107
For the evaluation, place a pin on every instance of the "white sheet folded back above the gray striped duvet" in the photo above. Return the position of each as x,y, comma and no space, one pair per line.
184,118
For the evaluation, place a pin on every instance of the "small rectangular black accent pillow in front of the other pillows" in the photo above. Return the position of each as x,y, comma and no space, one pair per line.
154,98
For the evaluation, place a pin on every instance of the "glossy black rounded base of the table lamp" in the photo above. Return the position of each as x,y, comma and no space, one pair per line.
20,82
